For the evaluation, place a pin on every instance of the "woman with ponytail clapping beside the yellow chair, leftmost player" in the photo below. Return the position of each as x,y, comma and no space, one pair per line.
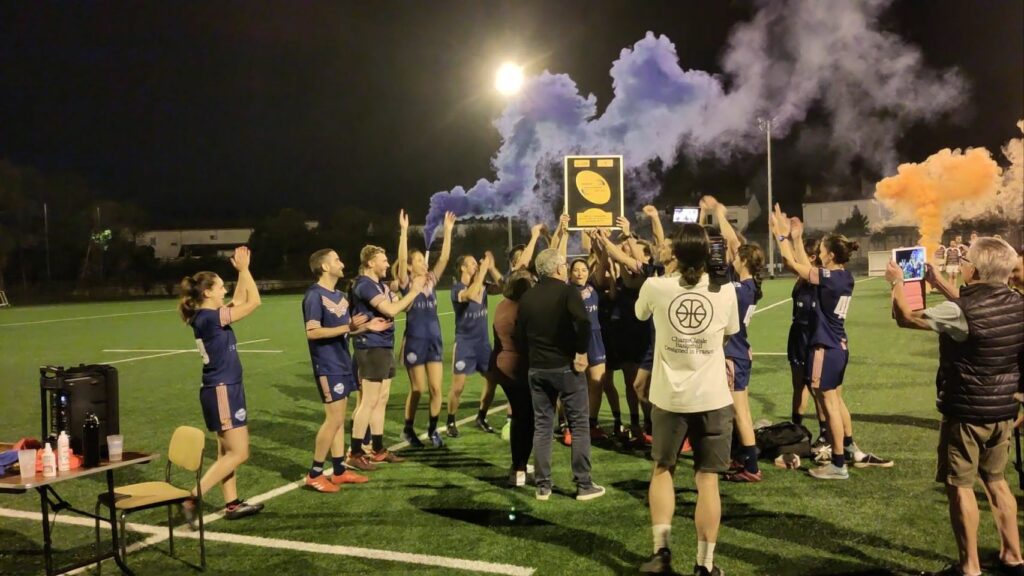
222,395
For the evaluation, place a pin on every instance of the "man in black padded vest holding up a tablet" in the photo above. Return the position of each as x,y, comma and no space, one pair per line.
982,344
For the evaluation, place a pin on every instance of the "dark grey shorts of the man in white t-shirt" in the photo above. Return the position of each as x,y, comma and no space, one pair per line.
710,435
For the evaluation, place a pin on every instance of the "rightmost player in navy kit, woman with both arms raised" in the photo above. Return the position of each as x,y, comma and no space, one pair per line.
830,352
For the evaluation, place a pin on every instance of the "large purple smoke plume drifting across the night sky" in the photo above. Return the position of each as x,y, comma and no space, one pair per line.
792,56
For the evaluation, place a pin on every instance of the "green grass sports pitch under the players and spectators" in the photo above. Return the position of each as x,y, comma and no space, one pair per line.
448,511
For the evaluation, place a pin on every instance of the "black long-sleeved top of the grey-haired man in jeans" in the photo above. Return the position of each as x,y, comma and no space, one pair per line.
552,325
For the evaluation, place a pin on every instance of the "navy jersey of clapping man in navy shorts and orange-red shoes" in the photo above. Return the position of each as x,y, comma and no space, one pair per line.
328,309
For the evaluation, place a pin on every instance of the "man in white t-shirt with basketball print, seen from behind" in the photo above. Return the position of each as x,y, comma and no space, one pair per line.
690,391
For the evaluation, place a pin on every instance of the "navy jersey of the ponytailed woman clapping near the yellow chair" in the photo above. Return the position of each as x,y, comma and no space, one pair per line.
218,347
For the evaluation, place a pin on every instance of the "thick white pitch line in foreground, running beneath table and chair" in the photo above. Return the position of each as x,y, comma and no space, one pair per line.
159,533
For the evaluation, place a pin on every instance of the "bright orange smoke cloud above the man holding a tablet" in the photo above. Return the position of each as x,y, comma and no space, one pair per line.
929,194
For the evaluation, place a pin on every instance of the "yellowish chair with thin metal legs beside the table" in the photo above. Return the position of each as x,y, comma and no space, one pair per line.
186,451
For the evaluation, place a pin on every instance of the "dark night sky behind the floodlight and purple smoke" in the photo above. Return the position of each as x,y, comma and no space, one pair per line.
217,112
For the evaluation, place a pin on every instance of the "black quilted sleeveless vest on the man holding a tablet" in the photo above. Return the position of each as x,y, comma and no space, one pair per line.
977,379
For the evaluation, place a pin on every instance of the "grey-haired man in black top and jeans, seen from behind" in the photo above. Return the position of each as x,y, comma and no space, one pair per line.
553,327
